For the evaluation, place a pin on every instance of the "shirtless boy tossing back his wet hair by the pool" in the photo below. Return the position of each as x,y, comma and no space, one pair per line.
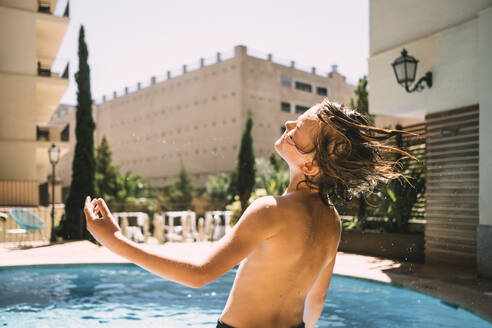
285,245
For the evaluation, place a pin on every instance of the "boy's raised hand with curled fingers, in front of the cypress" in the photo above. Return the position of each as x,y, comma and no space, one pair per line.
103,228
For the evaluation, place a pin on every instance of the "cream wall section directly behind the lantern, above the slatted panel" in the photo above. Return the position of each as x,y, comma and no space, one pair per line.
451,55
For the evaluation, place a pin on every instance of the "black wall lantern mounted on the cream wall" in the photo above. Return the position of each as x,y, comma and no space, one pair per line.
405,68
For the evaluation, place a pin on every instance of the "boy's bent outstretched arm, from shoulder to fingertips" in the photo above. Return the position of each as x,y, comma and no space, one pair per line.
247,234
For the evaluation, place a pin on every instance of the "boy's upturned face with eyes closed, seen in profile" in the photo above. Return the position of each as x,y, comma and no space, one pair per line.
299,135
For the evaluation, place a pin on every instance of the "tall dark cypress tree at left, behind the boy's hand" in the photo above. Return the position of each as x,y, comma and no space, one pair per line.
73,225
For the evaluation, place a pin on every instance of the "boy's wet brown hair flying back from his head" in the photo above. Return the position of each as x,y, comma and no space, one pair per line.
350,154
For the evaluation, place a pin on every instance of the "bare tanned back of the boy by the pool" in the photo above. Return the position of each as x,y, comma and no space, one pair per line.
272,283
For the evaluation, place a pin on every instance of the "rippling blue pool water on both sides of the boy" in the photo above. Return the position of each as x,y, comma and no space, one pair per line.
128,296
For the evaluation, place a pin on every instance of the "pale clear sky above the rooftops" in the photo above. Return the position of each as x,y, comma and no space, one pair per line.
130,41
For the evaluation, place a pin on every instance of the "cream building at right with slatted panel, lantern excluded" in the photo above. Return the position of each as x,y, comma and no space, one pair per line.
453,40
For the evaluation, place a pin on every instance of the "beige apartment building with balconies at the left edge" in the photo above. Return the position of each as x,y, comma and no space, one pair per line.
32,83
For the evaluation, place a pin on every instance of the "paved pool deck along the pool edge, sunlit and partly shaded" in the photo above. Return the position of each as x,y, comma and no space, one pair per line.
457,286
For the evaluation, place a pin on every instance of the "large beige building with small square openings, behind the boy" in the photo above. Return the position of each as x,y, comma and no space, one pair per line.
197,115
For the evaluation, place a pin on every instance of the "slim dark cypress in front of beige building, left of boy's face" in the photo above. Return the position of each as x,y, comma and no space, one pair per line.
246,165
